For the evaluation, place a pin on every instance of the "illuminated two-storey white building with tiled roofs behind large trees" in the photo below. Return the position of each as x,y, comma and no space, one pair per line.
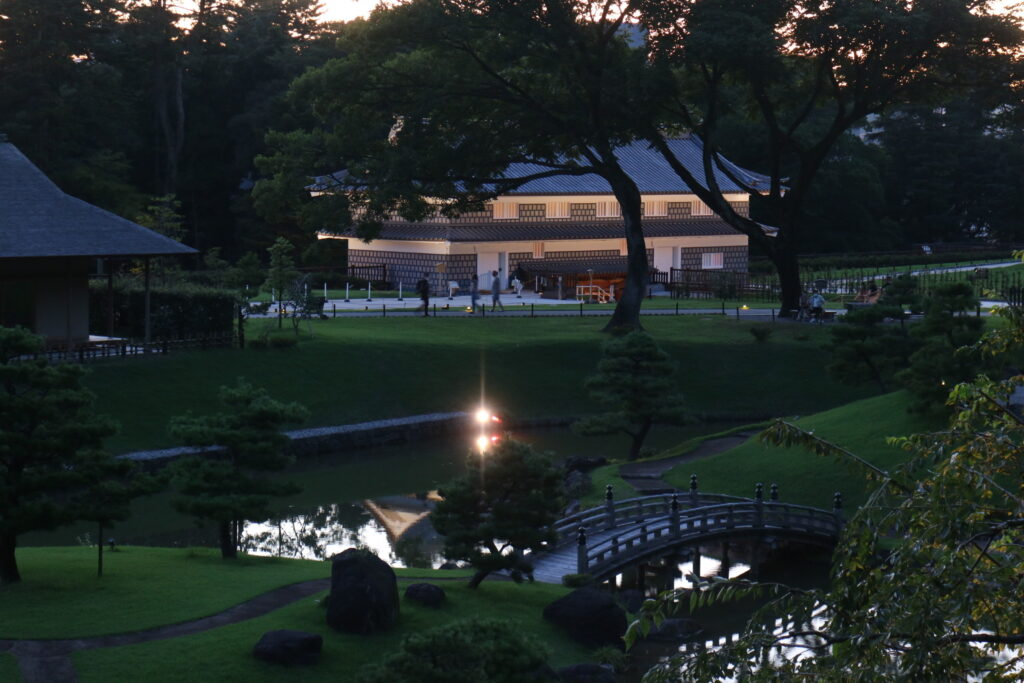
566,225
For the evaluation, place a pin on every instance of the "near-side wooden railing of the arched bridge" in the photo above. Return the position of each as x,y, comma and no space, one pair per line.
641,539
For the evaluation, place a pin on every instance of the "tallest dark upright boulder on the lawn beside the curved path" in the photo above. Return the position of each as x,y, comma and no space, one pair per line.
364,593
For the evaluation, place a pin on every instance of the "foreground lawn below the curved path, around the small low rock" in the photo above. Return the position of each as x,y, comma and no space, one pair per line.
226,655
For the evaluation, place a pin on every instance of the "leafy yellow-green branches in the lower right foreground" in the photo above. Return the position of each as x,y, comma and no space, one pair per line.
926,578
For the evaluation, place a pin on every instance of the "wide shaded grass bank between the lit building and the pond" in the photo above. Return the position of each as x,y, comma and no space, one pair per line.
361,370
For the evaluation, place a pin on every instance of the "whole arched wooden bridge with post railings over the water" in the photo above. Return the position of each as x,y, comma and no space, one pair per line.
603,541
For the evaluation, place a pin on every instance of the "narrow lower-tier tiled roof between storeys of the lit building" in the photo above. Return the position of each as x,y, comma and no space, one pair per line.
525,232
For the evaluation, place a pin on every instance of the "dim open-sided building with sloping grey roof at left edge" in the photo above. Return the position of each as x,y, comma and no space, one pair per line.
51,243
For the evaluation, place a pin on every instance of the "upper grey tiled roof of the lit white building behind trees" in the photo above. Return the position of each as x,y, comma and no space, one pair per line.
646,165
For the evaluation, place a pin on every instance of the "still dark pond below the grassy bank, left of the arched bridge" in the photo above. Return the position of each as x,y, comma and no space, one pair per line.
375,498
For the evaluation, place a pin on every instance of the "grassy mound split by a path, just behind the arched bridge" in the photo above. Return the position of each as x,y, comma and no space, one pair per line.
861,428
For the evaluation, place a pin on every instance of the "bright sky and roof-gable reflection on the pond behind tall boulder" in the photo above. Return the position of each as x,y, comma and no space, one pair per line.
397,529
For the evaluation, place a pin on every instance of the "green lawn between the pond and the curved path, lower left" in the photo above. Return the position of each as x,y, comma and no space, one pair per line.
61,596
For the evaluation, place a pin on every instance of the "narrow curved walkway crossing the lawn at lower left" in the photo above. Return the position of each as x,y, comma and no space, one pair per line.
51,661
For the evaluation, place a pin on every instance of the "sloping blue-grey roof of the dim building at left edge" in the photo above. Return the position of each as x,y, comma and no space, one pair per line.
38,221
